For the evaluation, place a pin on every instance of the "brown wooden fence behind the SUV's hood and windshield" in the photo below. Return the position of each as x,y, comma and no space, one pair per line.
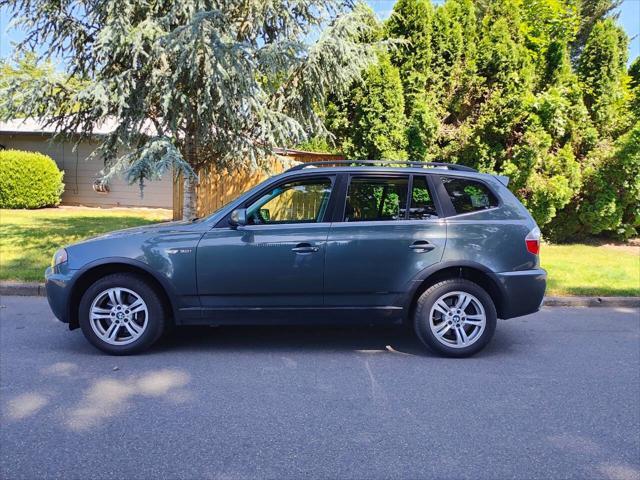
216,188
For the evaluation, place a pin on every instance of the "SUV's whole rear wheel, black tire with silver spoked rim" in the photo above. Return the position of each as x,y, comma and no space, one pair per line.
455,318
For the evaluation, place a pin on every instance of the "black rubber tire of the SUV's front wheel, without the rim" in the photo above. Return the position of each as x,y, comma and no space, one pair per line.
156,319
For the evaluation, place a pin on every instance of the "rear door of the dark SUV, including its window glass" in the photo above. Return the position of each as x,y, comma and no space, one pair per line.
389,231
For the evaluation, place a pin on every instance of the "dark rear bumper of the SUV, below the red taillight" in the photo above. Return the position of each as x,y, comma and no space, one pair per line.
523,292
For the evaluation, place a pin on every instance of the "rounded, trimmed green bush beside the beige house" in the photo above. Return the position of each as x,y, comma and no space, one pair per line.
29,180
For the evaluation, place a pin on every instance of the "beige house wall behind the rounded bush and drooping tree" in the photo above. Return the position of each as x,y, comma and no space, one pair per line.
80,173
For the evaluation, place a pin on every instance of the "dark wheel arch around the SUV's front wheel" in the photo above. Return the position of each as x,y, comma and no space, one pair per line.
94,271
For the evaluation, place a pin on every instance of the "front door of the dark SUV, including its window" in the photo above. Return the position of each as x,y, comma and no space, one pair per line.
276,260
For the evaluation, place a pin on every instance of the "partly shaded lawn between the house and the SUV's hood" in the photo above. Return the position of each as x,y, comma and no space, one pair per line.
28,238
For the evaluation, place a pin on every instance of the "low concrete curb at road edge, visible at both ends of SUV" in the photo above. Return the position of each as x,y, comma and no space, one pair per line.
34,289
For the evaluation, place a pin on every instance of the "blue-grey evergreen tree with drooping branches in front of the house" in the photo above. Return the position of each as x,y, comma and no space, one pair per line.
189,83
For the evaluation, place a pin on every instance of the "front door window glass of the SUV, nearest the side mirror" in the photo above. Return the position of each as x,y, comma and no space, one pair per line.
303,201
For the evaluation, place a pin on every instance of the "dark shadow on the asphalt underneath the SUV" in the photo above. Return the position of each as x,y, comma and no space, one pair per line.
400,340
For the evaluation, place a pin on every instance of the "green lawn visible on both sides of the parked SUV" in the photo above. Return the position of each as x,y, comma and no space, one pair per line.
28,239
